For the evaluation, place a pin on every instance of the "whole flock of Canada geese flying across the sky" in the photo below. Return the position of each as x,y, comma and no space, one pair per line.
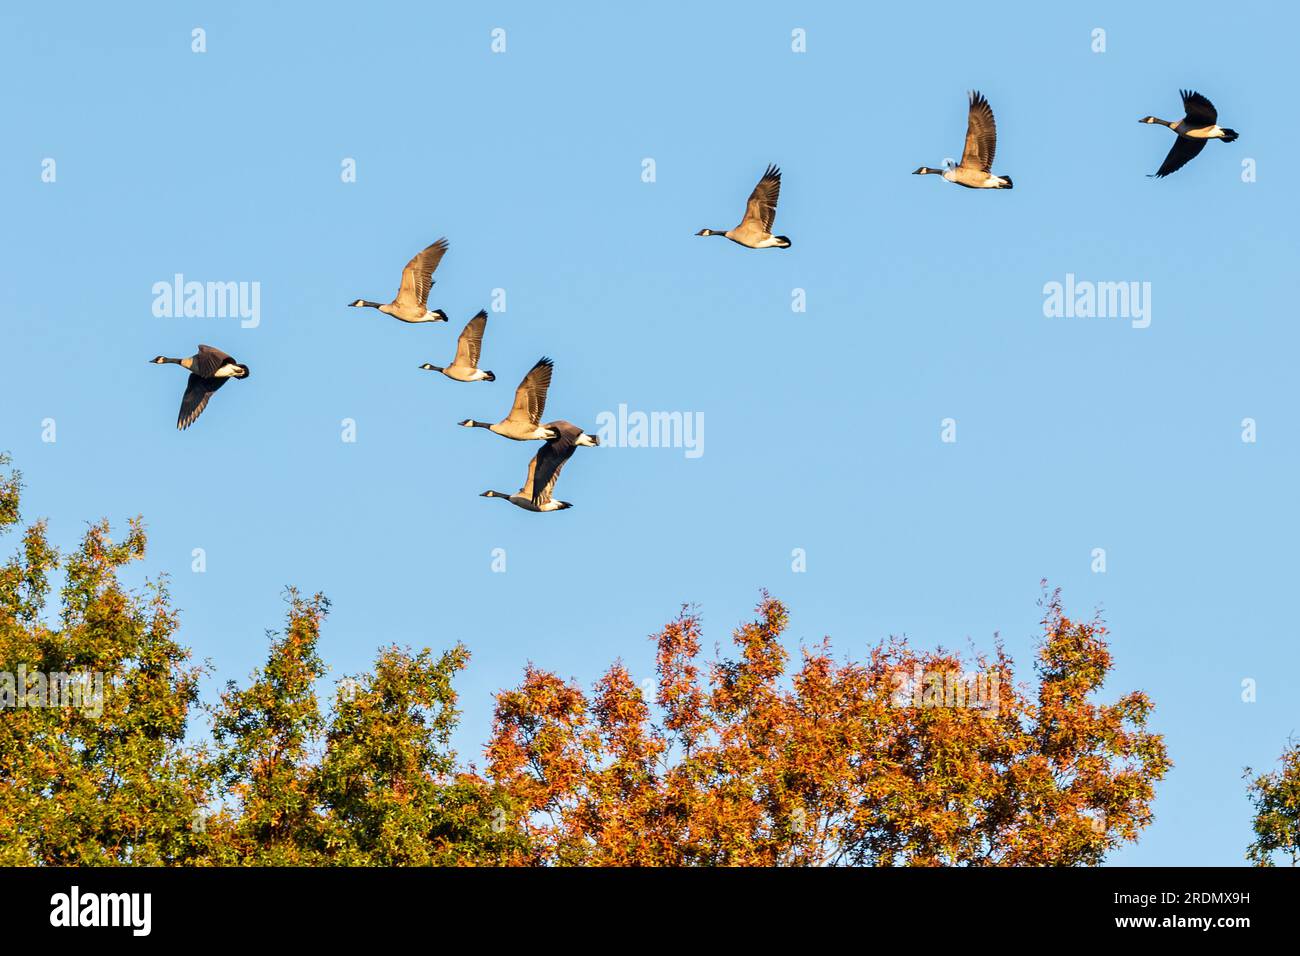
210,369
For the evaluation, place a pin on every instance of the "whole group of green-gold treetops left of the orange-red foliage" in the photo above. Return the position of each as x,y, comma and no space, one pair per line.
115,781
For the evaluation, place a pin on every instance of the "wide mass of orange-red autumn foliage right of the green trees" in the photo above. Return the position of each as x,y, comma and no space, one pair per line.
876,763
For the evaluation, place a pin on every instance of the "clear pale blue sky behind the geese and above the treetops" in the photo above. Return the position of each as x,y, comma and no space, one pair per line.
925,302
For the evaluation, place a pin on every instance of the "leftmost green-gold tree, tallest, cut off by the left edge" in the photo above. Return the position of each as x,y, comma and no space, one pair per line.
101,777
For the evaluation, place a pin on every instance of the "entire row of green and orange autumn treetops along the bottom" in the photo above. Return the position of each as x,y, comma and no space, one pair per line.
908,758
